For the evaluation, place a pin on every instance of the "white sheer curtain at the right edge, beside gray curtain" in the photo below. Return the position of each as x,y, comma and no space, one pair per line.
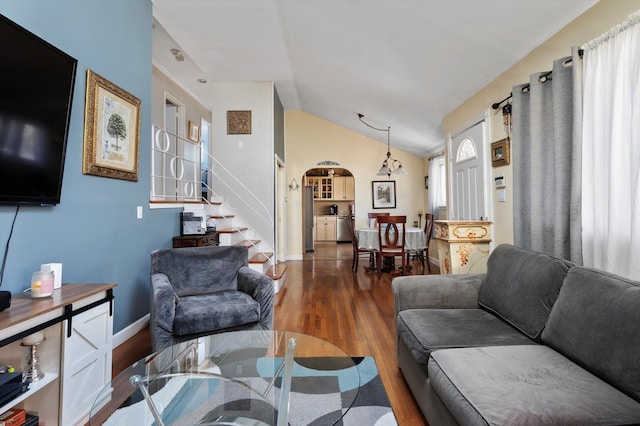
611,151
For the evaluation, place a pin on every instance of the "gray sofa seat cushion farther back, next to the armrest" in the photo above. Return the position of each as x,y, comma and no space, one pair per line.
426,330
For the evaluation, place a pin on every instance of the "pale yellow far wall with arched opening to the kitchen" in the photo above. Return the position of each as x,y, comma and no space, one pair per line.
309,140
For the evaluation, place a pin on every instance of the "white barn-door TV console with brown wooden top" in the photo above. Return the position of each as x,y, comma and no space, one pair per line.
75,356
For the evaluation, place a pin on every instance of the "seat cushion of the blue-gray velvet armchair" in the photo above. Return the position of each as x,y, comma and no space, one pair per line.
234,308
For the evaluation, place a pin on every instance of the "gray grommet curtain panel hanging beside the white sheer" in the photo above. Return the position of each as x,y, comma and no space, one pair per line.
546,161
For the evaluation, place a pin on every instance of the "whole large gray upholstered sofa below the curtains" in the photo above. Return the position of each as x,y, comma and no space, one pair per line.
534,341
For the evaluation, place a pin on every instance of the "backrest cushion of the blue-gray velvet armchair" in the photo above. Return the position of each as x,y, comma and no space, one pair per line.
200,270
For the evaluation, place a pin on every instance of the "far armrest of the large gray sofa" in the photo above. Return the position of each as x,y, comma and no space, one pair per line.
436,291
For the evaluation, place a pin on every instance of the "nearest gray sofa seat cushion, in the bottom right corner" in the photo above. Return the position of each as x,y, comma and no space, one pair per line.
525,385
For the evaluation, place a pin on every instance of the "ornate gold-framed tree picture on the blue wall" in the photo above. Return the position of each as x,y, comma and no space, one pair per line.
111,130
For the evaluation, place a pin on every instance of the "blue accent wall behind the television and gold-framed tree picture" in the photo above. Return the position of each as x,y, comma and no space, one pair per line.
93,232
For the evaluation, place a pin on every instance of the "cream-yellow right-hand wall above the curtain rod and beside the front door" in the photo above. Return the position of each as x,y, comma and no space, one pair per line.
600,18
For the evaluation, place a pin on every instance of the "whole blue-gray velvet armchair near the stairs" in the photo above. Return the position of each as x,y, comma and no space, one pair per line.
205,290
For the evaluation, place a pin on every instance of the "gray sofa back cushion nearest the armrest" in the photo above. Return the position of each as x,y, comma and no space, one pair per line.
521,287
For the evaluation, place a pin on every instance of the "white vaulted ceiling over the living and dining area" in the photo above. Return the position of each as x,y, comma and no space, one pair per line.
401,63
